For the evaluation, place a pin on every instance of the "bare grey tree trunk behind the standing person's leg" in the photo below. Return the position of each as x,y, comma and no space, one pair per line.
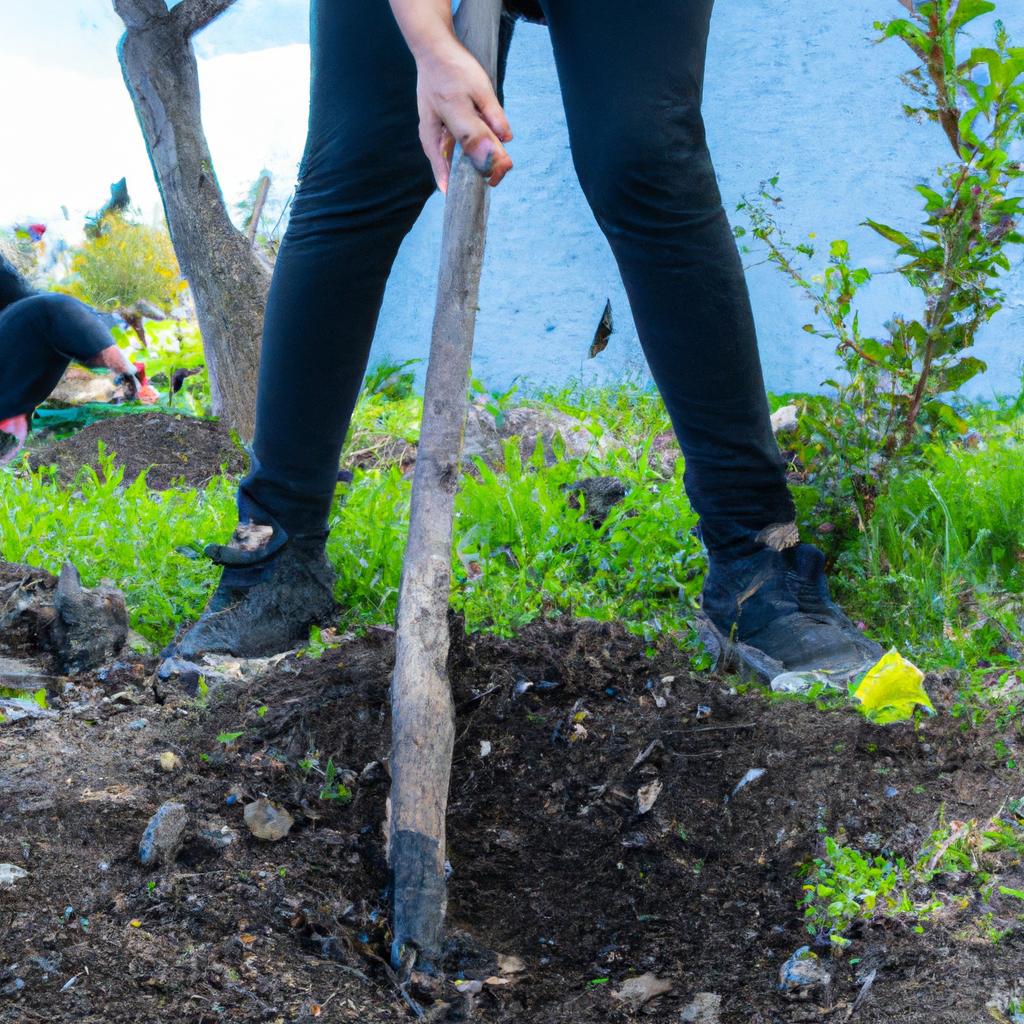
228,279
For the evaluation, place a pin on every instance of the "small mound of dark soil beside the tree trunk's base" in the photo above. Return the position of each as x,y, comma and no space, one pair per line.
170,448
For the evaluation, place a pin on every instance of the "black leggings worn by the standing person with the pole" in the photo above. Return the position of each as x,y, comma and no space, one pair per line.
631,78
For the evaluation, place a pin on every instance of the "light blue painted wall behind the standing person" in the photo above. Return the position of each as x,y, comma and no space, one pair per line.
791,88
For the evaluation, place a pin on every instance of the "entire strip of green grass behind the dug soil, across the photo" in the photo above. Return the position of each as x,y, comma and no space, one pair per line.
940,574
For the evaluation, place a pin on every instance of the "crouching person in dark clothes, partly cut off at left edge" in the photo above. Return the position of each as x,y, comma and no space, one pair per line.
40,335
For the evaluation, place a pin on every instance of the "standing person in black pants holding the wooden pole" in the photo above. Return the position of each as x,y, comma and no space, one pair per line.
392,90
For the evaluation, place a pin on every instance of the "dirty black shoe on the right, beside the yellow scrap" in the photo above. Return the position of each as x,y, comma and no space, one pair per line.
778,604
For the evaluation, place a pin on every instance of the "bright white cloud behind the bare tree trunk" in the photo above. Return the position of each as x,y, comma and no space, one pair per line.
76,132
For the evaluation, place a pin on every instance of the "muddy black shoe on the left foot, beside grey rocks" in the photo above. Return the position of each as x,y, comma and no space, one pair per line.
273,589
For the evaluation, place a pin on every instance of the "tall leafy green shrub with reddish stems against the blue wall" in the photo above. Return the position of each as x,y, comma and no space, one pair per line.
890,399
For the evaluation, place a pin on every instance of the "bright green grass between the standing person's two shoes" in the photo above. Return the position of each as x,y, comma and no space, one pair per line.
523,552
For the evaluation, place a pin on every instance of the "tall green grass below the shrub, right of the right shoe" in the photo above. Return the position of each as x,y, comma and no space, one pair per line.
941,572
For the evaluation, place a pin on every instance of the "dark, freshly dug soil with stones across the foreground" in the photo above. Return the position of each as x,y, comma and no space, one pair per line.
595,835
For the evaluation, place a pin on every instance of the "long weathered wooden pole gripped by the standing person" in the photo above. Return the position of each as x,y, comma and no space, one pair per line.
422,714
